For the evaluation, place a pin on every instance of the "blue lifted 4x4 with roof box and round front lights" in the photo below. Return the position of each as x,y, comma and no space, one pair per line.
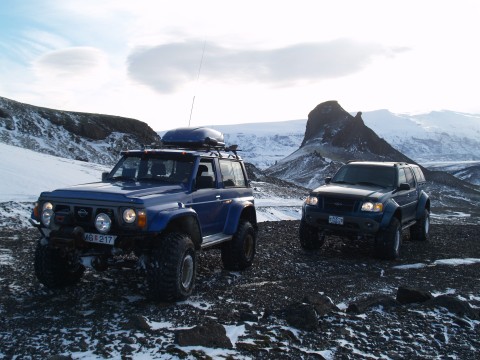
157,207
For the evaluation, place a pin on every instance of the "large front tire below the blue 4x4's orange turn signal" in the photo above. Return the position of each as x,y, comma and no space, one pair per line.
172,268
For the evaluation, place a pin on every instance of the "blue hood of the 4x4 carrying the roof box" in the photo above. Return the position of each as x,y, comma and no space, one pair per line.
115,191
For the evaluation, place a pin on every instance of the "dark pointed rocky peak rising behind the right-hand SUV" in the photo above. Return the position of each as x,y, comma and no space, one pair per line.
332,137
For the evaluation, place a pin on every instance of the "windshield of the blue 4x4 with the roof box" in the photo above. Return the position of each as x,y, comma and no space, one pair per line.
175,170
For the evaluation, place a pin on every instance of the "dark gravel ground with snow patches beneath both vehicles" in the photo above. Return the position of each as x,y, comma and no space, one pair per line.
336,303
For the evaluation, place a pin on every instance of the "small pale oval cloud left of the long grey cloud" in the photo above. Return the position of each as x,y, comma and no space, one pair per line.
70,62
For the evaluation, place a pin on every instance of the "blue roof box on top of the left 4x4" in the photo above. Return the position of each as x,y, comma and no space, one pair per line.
193,138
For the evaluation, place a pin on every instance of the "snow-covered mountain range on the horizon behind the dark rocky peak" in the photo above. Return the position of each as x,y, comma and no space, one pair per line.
425,138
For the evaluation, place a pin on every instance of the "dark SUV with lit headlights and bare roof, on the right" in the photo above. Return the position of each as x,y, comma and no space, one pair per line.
370,199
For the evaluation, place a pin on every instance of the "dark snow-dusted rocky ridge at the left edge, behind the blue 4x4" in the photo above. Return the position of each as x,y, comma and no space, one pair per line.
81,136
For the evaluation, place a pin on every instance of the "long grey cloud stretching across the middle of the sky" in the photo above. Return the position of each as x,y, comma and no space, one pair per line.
167,67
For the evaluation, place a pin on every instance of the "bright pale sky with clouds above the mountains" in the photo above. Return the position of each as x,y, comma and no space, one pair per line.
193,63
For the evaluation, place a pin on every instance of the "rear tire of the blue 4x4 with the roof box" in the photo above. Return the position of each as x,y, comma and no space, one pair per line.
238,253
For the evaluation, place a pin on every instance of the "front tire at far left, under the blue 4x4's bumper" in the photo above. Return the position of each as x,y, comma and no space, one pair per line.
55,270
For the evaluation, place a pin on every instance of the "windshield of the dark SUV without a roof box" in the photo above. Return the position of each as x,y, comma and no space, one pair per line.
381,176
